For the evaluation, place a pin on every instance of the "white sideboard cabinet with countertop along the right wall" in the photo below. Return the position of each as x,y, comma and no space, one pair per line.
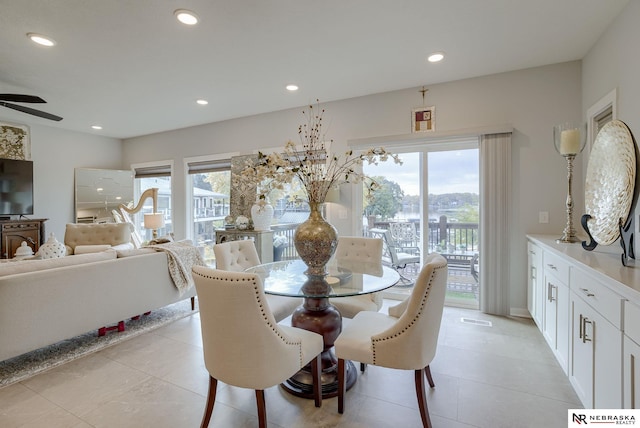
590,318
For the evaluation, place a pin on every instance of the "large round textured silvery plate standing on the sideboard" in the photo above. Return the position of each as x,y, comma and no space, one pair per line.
611,176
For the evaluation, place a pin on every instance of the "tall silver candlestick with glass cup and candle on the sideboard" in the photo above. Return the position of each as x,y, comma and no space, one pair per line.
569,140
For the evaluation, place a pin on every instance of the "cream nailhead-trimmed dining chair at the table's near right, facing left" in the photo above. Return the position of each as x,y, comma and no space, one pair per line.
405,339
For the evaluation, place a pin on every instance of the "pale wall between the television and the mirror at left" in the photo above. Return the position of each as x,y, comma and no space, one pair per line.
55,154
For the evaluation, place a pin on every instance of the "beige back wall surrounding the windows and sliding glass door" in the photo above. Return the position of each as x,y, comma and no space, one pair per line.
532,101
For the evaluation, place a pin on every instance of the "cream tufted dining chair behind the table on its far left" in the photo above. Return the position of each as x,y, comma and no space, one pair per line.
239,255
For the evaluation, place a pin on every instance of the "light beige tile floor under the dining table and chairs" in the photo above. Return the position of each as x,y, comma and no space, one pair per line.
499,376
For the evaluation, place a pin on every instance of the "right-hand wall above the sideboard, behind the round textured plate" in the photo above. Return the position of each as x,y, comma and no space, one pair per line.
613,64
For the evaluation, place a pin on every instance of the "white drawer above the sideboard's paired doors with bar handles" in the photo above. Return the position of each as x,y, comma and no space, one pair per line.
598,296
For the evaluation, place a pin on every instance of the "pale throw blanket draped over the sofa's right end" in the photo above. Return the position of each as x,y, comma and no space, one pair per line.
181,256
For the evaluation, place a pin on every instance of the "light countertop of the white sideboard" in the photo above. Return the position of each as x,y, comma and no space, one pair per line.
602,262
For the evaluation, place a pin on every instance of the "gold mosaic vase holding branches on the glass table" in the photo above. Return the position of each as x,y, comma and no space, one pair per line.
316,241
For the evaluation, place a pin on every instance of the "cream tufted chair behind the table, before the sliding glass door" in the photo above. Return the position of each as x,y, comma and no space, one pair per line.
356,249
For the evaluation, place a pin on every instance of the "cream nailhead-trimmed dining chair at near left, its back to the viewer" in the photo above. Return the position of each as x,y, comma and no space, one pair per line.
242,343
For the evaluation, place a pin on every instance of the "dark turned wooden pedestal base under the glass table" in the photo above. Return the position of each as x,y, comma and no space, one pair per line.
320,316
